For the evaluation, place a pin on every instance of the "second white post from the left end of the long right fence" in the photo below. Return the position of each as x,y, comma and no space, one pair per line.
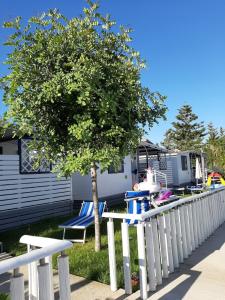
126,257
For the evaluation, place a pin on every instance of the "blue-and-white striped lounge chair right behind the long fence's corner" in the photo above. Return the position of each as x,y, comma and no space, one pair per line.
137,203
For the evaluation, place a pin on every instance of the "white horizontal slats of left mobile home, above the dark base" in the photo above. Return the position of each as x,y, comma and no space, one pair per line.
27,190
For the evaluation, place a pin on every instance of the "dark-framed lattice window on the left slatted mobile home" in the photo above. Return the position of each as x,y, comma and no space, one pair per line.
28,160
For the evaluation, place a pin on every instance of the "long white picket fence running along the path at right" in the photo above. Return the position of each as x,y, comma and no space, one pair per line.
165,237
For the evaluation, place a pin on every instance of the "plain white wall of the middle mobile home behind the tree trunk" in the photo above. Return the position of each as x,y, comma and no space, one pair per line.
108,184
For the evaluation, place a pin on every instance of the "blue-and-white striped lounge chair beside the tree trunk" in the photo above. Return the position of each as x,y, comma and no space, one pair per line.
84,219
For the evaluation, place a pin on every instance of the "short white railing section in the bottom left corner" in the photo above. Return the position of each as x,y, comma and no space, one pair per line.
40,276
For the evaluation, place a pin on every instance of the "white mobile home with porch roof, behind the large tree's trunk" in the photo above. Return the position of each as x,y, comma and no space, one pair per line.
112,184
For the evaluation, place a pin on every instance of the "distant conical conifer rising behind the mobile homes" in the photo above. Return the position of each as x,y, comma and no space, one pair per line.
186,133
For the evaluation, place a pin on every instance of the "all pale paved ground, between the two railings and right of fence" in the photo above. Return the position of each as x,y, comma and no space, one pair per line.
202,276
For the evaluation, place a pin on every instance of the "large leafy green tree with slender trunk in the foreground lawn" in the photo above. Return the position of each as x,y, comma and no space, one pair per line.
75,86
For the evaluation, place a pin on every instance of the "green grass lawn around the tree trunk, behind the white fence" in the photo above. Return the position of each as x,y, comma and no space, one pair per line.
84,261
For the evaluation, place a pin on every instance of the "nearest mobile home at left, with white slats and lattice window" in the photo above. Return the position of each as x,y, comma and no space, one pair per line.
28,194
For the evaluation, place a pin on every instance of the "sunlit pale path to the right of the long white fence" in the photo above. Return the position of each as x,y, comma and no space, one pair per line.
202,276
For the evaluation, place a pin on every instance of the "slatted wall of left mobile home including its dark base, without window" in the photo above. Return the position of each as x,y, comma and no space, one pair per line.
26,198
